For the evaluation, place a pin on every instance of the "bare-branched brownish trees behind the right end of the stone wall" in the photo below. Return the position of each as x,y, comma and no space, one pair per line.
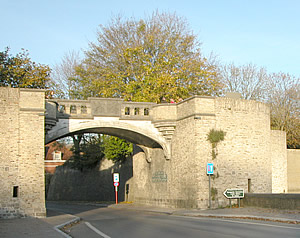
281,91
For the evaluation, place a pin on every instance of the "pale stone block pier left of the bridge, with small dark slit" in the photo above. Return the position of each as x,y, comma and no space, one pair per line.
22,153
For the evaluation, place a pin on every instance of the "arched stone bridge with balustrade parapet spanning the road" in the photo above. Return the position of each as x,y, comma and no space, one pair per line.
141,123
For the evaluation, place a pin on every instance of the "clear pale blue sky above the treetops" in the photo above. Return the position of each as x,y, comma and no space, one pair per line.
263,32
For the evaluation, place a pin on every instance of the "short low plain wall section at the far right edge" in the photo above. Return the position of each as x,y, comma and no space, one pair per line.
293,171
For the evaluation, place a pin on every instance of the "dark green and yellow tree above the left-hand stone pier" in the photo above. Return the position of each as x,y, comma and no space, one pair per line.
20,72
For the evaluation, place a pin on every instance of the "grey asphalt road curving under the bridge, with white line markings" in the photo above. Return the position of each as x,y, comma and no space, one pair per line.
114,222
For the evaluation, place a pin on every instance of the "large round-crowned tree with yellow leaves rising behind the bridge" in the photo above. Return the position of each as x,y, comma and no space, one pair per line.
145,60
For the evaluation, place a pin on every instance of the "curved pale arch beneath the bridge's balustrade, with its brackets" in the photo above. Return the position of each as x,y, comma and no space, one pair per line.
142,134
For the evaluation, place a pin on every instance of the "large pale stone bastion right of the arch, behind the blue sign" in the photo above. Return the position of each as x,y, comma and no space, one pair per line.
251,157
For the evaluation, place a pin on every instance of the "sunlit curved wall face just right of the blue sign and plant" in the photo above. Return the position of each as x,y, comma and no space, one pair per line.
243,159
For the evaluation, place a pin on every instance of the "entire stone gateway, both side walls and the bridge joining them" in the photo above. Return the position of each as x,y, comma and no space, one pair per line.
169,169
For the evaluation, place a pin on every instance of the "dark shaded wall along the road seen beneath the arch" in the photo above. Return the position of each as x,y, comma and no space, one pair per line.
89,185
